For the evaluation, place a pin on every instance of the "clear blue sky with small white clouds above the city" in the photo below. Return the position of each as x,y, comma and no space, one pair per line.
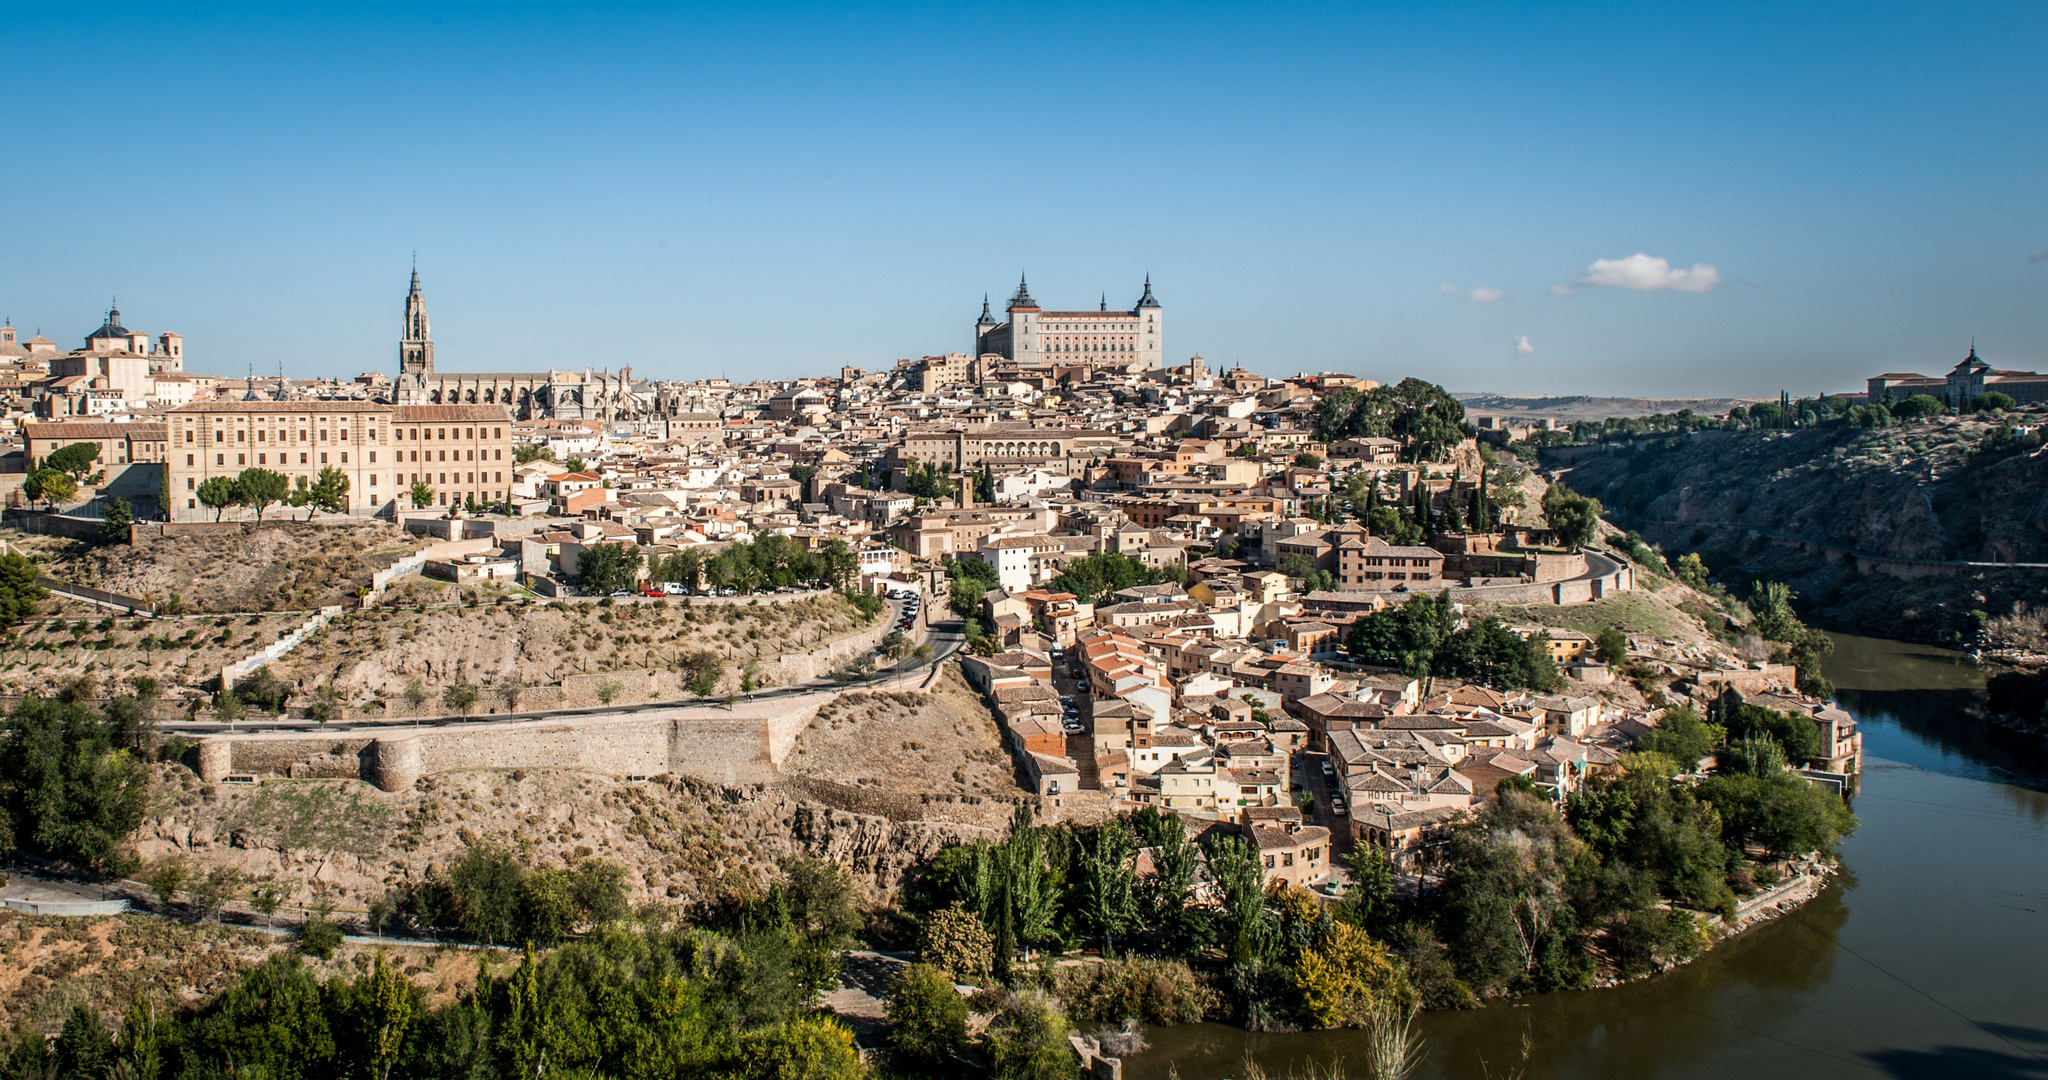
1453,192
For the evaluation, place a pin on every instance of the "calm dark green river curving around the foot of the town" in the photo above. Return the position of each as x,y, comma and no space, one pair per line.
1926,960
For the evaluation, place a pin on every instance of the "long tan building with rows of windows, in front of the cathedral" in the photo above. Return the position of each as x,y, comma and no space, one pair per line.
458,452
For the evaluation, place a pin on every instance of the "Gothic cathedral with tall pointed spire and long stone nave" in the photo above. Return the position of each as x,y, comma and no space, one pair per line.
529,394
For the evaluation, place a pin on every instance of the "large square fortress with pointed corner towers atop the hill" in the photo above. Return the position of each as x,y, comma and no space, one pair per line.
1054,339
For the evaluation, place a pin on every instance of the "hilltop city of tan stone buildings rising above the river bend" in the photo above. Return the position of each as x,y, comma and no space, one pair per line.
1195,653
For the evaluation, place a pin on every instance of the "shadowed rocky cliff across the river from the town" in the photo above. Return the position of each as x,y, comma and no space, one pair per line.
1859,522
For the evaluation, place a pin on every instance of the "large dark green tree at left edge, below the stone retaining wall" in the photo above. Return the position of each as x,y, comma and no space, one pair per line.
67,790
